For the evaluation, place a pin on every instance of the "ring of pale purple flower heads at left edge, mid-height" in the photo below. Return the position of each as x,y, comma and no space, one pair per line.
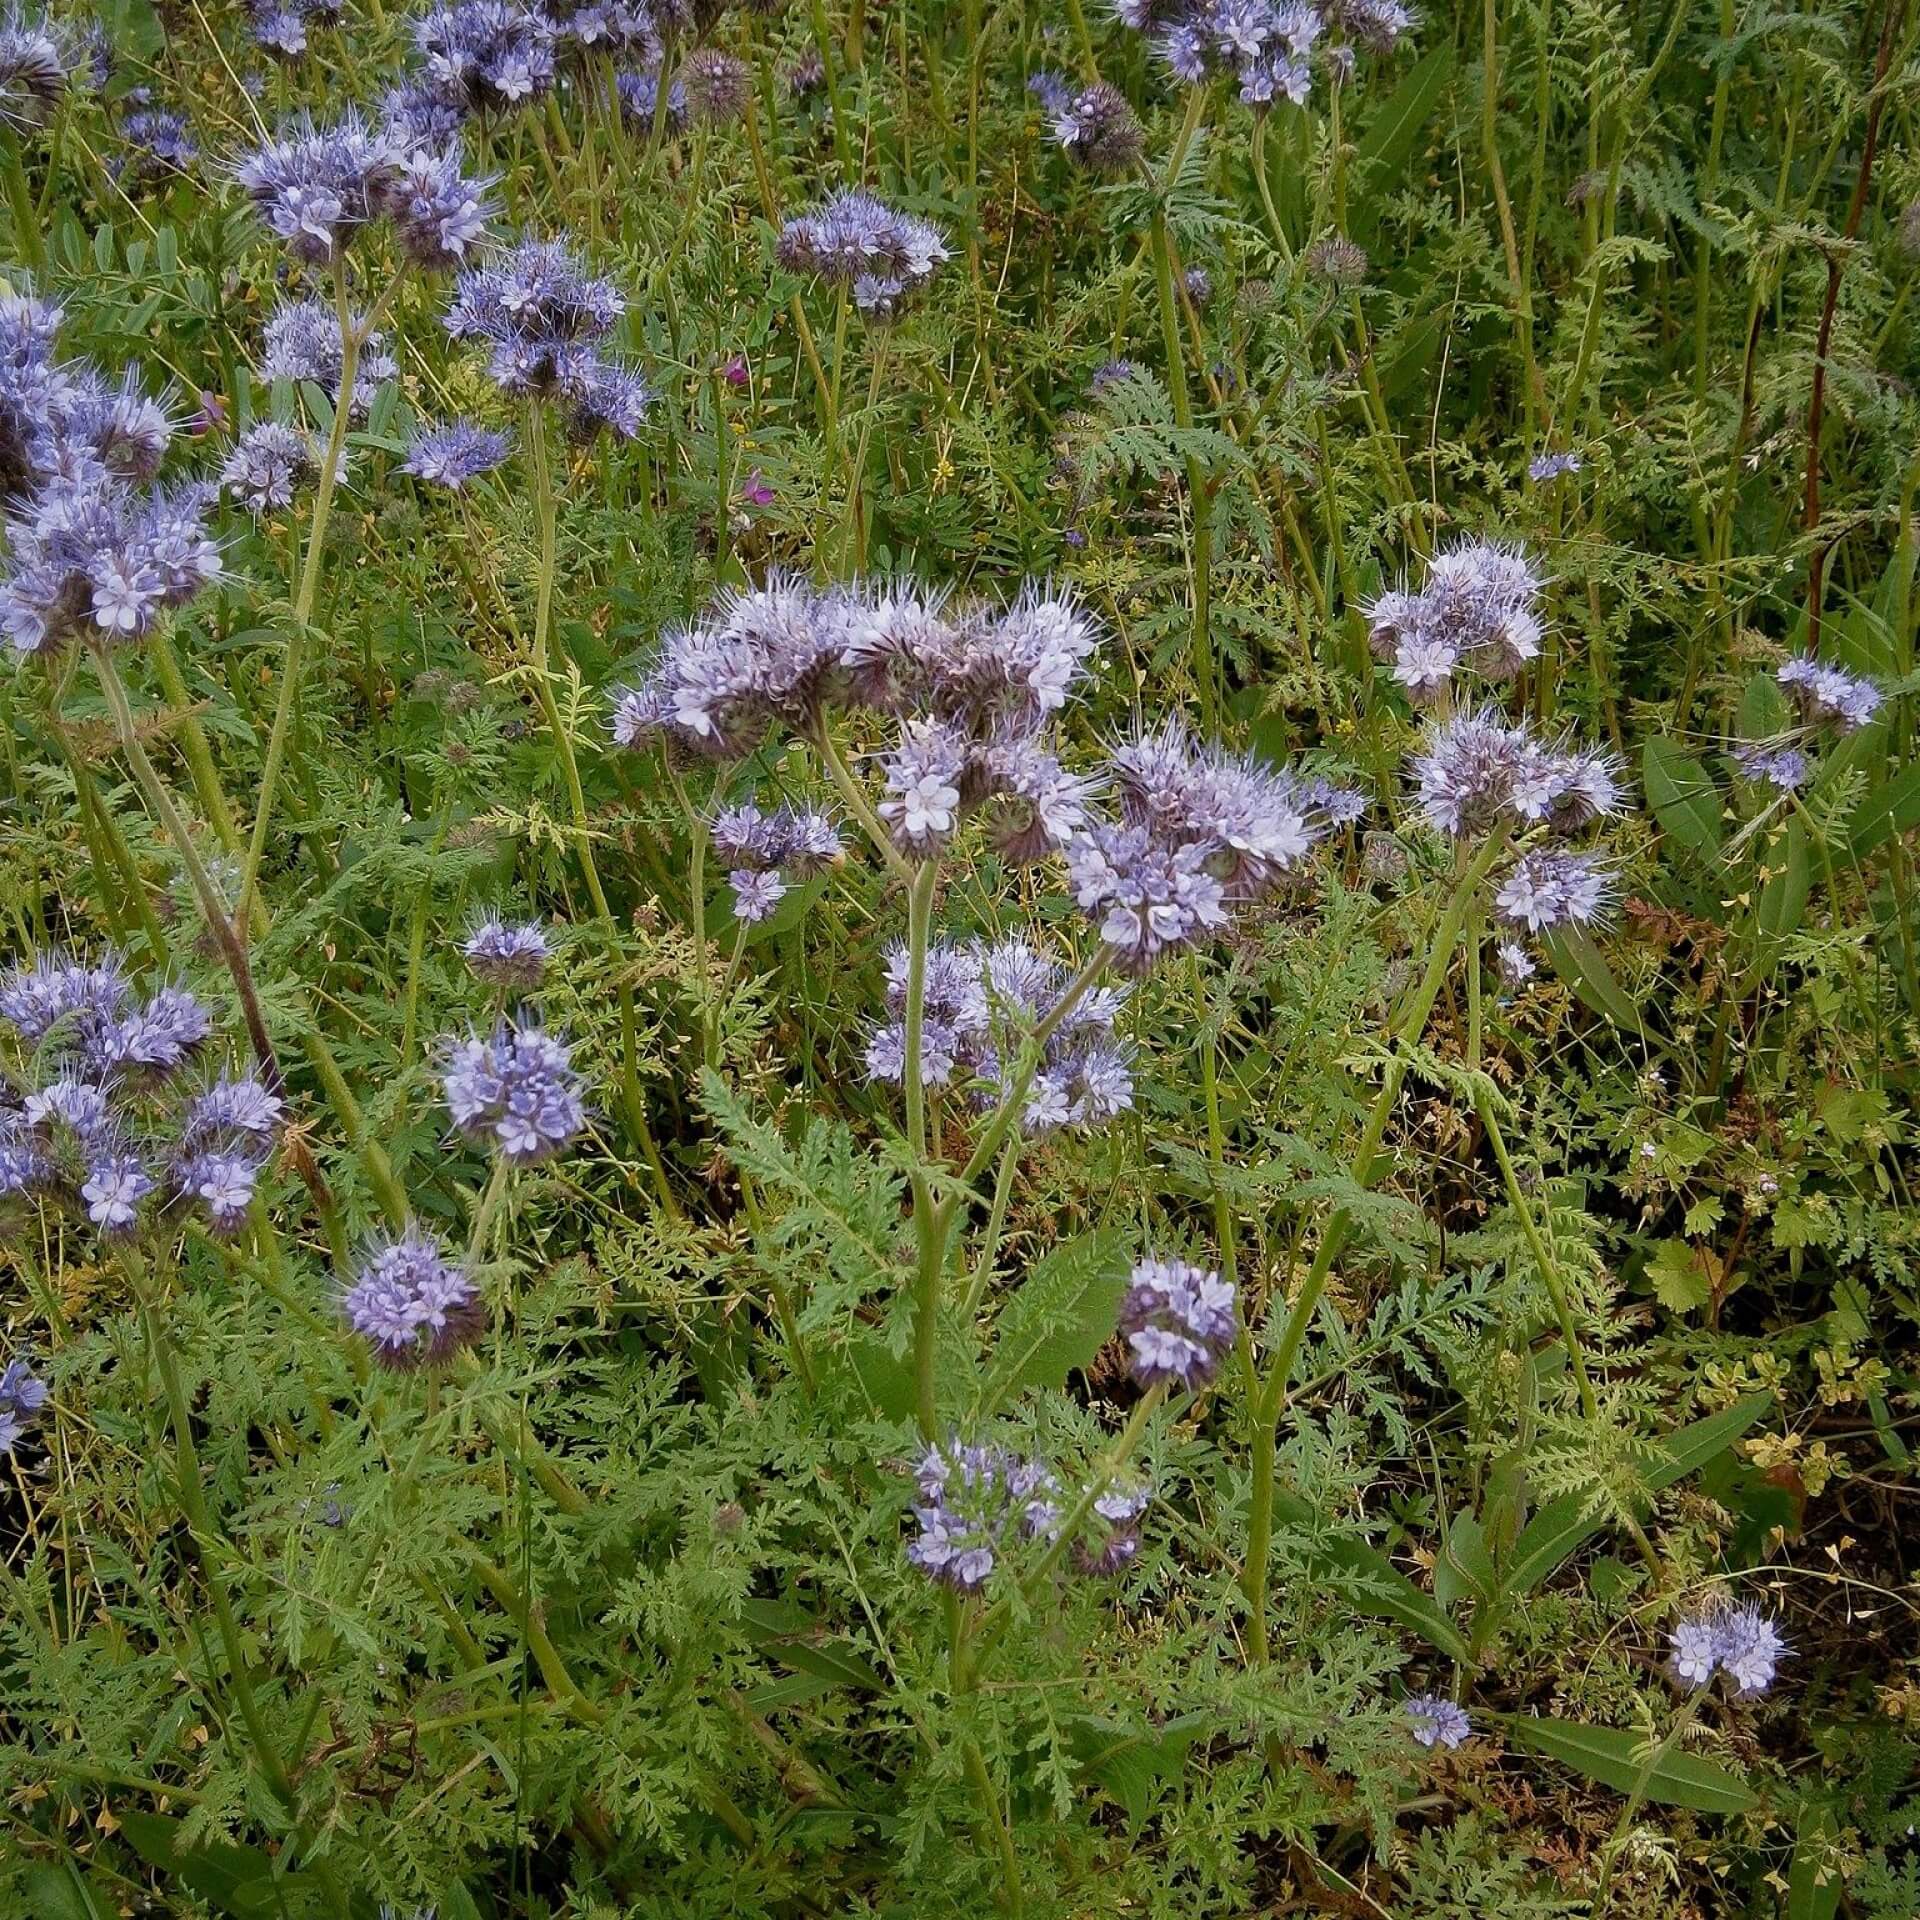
107,1122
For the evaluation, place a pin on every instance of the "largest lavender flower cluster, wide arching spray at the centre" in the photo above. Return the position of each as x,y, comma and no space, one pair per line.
978,694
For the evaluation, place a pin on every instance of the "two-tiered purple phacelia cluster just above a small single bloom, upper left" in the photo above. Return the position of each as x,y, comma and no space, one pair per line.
544,322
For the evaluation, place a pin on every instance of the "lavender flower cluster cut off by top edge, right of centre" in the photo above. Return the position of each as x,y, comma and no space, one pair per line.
1266,47
